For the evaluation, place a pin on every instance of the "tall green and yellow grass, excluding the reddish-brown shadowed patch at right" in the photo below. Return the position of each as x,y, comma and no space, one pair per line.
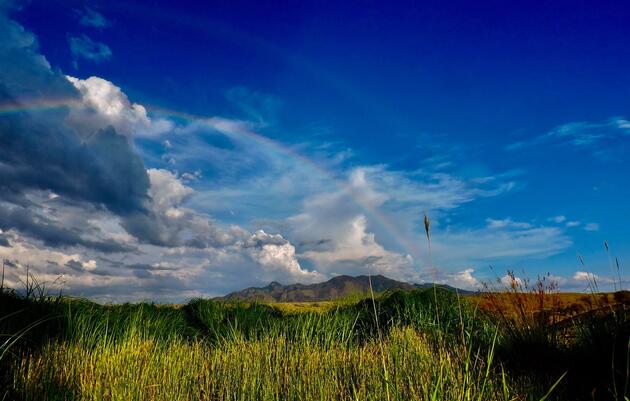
207,350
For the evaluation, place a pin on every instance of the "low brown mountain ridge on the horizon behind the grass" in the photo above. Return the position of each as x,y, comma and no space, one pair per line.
335,288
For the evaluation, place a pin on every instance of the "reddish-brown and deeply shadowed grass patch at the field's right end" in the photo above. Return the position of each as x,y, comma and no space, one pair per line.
544,333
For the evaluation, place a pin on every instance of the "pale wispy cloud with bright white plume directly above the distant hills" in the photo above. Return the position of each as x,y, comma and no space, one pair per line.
347,227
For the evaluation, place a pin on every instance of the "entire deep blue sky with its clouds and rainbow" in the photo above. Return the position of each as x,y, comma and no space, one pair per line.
162,150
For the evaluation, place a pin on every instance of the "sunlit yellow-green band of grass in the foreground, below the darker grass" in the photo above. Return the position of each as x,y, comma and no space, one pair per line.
267,369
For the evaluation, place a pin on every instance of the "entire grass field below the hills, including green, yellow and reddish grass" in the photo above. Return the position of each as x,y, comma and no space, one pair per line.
421,345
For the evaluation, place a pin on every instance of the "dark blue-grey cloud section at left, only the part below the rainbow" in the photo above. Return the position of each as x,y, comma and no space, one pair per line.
46,155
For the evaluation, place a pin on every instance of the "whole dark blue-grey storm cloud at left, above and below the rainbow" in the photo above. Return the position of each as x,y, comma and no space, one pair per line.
42,152
